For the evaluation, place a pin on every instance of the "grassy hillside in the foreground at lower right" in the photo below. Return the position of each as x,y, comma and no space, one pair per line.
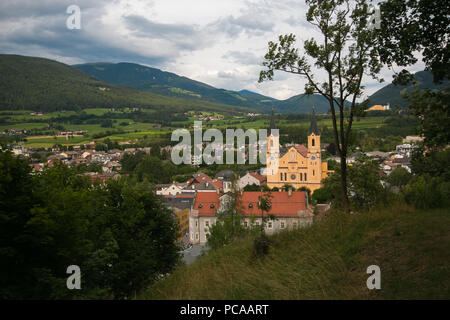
328,261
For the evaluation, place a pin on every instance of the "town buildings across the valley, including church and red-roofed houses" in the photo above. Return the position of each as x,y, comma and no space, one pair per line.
196,202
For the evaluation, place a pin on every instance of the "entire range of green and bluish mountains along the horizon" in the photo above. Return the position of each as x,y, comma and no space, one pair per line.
43,84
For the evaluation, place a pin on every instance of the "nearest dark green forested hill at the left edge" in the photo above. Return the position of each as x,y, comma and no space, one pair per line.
29,83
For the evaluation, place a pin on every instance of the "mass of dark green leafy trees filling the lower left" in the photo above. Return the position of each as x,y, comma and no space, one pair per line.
120,235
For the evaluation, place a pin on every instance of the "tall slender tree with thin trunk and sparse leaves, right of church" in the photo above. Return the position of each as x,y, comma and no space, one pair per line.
347,53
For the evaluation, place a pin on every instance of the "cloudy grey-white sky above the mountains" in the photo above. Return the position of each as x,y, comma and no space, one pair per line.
219,42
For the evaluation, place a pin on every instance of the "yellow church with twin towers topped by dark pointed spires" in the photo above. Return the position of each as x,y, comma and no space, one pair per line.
298,166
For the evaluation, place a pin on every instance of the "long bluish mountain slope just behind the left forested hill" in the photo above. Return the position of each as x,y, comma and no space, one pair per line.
169,84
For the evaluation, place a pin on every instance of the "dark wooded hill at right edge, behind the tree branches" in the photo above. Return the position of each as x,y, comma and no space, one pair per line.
392,94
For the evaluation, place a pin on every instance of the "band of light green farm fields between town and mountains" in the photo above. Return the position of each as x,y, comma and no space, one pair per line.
127,129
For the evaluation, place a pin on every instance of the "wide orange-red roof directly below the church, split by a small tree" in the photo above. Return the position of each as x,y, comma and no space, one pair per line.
283,205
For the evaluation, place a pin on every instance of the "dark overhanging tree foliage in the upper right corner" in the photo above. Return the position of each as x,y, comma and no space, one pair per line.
411,26
